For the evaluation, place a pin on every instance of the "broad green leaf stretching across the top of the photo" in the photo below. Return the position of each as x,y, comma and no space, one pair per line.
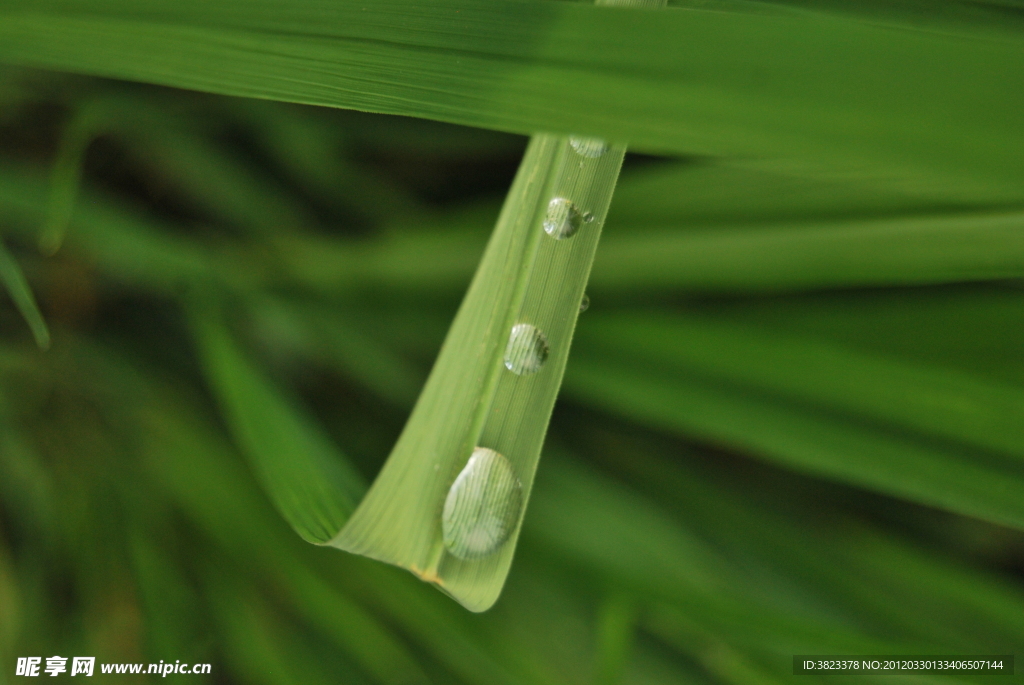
924,110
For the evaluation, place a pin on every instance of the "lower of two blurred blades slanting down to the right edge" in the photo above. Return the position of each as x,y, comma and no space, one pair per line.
804,437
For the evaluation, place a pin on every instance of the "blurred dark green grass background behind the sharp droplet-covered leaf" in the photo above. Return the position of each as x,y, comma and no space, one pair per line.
791,422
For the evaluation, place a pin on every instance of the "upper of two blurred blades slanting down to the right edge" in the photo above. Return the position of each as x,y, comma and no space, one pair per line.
927,400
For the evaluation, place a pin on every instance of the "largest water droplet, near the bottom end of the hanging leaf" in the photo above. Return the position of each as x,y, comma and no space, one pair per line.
483,507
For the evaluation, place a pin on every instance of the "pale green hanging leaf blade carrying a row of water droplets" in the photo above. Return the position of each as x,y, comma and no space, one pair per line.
492,389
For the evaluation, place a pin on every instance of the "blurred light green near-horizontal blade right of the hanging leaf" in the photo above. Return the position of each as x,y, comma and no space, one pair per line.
793,258
